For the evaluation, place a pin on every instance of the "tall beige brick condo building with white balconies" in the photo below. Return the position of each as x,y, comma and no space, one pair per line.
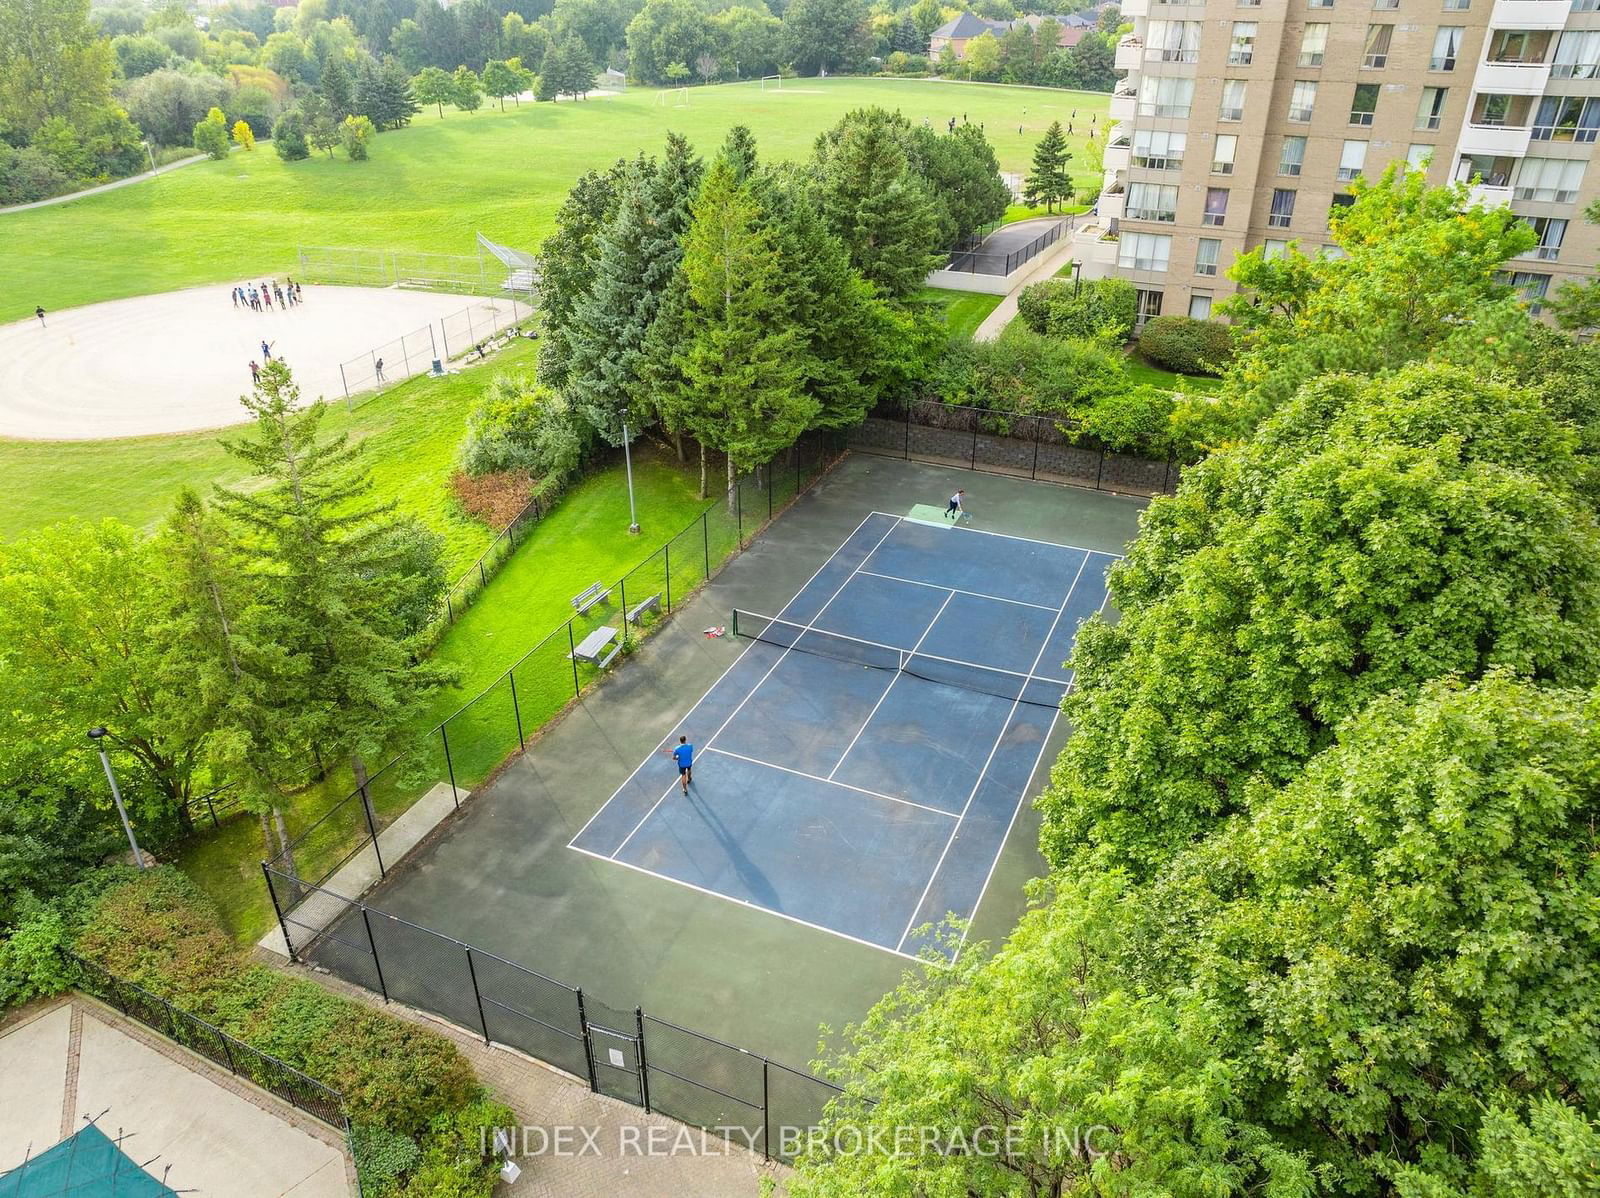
1242,124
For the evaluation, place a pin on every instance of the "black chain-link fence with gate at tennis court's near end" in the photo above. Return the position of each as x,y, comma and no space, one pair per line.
618,1052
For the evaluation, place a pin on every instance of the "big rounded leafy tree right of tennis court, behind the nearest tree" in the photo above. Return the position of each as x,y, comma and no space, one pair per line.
1374,535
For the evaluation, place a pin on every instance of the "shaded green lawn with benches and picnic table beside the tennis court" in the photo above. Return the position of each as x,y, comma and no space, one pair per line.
582,541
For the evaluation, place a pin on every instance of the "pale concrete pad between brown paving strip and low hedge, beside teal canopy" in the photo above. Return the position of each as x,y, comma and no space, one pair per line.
215,1141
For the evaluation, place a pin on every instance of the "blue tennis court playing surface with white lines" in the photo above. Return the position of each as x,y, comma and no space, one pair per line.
860,764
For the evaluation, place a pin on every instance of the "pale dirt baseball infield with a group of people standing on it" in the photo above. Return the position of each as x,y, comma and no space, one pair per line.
178,362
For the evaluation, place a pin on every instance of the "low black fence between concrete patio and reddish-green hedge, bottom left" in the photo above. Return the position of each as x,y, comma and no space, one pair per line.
302,1092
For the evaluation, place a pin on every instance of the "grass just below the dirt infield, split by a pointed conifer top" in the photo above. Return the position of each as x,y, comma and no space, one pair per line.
412,434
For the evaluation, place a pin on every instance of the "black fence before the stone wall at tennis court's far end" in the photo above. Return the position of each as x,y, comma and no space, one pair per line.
1025,447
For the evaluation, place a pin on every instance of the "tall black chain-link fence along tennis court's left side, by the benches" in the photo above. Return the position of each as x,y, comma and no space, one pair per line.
476,740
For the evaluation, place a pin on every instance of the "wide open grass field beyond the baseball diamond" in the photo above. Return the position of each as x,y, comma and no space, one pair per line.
438,183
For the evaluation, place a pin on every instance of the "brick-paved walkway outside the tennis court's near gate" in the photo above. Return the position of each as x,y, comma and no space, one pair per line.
615,1151
